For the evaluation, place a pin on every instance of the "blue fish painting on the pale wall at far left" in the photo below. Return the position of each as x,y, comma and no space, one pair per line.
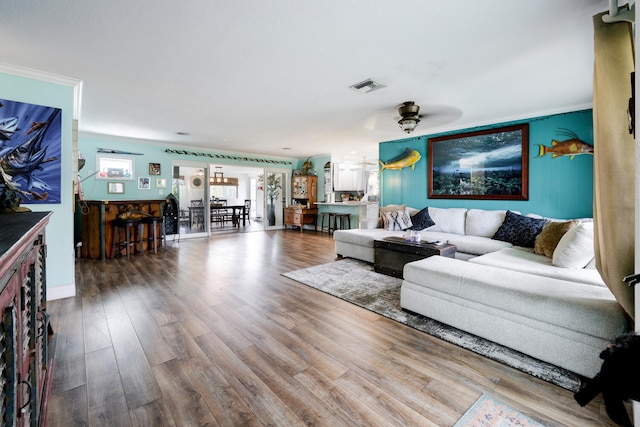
30,151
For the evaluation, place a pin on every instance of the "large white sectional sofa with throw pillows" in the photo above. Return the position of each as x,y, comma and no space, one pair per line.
554,308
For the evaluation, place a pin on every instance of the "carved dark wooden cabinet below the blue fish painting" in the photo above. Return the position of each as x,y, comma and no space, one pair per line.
26,367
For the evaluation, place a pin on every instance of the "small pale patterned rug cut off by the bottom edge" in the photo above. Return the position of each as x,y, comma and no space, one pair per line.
490,412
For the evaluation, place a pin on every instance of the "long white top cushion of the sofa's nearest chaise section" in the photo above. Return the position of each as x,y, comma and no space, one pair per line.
591,310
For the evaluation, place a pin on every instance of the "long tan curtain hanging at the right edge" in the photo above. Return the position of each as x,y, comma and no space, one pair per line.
614,158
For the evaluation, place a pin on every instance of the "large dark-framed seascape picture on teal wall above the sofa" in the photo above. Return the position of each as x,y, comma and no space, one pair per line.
489,164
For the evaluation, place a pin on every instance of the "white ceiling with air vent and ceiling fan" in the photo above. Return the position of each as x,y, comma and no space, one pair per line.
258,76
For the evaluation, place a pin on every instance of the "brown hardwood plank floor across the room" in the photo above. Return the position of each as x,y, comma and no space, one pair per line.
207,332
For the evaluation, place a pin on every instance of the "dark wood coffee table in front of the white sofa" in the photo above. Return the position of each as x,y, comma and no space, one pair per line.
392,253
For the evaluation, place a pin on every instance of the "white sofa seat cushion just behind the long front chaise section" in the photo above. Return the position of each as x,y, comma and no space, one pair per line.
525,261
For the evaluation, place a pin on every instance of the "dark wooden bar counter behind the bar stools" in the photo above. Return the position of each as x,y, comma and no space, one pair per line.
97,227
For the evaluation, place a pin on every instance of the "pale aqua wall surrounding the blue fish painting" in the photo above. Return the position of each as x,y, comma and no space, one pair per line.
60,253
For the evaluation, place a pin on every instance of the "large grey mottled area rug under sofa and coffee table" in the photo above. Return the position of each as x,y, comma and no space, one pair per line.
356,282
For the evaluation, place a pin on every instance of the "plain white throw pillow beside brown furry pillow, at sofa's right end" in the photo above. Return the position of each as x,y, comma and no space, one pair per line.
575,248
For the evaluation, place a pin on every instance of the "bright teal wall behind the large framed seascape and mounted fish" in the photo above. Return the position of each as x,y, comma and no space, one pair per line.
558,187
